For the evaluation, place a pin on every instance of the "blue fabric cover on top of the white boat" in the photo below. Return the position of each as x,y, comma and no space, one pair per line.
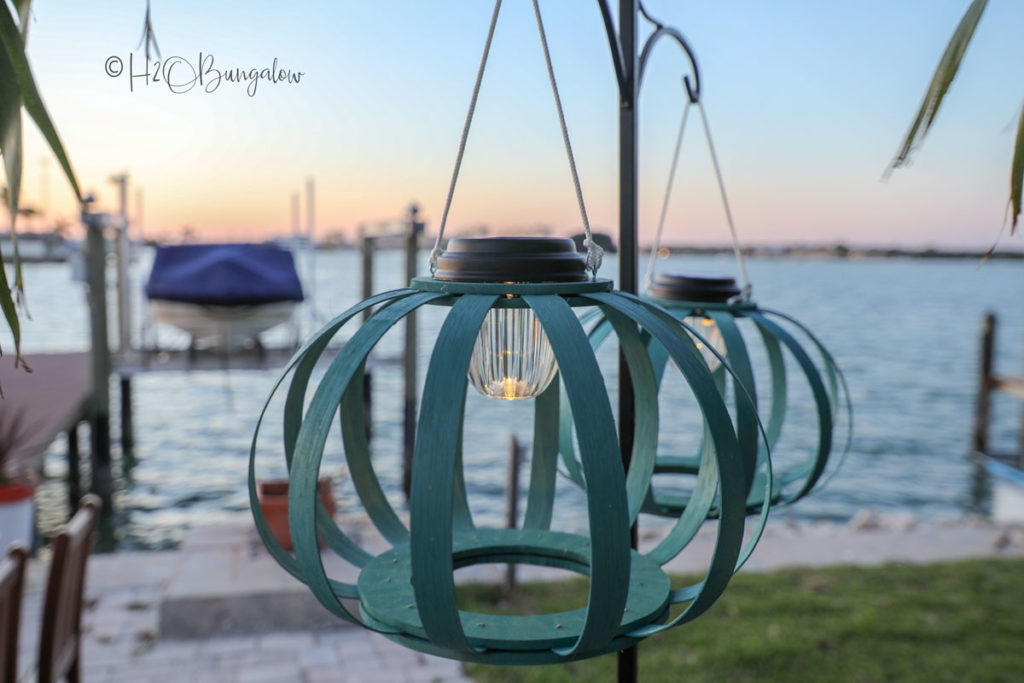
227,275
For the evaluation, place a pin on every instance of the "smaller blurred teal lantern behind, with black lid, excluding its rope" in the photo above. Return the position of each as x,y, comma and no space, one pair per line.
726,325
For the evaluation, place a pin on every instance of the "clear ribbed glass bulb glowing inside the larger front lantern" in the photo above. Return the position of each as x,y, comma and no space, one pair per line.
513,359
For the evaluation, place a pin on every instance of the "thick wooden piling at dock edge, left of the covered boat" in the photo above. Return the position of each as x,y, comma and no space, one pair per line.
100,417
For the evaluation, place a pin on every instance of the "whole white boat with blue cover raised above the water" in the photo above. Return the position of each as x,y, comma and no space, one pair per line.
224,295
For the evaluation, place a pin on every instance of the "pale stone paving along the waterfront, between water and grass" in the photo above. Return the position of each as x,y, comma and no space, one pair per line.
215,611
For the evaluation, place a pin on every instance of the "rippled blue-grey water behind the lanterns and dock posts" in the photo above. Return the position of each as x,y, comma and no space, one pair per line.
906,333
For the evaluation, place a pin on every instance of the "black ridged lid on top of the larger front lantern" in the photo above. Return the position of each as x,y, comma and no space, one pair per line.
511,261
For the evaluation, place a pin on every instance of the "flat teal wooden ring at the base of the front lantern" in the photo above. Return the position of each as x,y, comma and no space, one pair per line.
388,597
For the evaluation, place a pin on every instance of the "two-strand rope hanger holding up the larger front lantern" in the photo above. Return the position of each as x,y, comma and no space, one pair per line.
594,252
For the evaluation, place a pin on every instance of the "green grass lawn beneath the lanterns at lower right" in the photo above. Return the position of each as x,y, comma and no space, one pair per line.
961,622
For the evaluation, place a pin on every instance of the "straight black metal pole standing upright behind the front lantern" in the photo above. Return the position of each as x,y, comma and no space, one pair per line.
628,247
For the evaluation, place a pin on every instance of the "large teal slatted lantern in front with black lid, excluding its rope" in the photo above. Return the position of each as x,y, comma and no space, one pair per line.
513,329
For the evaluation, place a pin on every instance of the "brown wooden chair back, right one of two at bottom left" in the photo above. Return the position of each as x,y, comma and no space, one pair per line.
61,637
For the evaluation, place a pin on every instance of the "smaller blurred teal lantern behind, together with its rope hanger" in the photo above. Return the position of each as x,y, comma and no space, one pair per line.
727,326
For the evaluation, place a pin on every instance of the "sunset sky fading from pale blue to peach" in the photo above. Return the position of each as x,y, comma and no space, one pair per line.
807,102
